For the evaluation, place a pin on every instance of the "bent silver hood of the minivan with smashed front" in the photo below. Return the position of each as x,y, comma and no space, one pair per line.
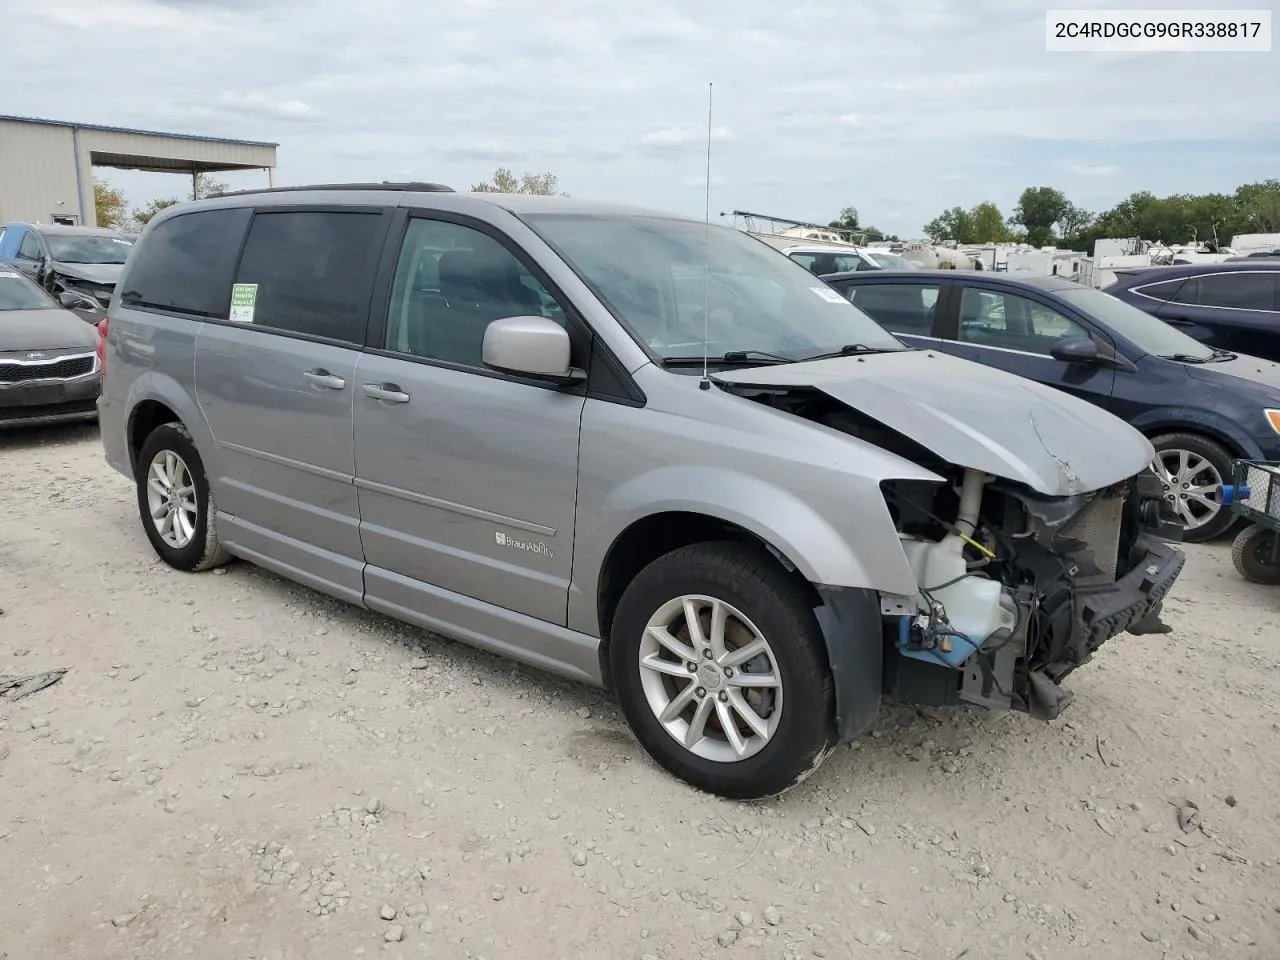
976,417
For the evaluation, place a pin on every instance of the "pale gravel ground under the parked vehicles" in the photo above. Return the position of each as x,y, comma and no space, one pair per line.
236,767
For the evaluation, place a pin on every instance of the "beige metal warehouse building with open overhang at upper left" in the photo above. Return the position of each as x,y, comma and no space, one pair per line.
47,167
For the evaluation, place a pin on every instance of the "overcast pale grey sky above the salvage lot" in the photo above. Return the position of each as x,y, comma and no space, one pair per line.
900,109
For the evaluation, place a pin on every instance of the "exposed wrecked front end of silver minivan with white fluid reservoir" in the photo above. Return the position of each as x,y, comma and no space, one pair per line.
1063,580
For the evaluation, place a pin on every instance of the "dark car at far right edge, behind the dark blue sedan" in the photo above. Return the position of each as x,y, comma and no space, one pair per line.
1232,305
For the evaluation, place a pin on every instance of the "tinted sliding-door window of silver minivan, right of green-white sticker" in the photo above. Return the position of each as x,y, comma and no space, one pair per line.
314,272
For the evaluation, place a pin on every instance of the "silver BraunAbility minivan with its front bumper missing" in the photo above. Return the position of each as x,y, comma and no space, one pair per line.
488,415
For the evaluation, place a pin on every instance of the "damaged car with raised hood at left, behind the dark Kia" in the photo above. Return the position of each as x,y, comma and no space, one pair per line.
84,260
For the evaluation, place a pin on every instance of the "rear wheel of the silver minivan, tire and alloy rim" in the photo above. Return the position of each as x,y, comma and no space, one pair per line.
176,504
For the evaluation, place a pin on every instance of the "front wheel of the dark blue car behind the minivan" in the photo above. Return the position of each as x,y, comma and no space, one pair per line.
1194,461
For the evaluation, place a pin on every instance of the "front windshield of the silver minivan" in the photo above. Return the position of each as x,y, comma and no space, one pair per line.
673,282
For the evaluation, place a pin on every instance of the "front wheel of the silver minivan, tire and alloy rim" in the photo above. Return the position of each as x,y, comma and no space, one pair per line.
721,671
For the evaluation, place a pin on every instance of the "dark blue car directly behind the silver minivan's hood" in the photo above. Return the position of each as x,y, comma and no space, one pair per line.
1201,408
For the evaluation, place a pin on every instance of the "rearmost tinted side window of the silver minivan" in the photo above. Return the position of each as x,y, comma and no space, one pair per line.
186,264
